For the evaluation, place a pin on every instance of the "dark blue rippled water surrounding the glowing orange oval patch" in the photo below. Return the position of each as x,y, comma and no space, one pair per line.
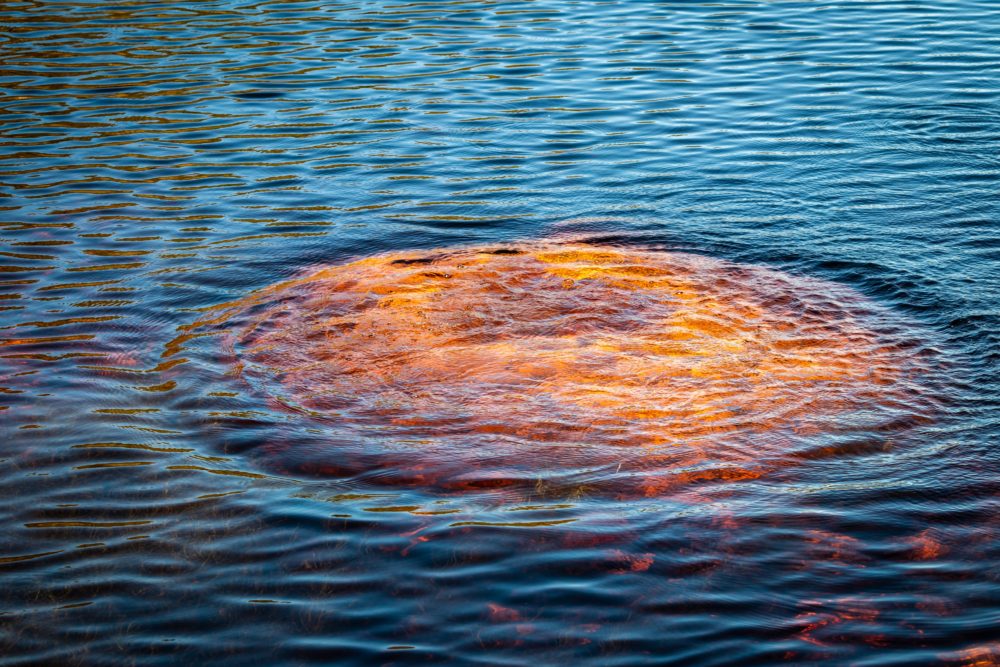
160,158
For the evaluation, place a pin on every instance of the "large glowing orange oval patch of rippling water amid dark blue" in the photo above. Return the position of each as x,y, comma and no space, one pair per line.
629,370
